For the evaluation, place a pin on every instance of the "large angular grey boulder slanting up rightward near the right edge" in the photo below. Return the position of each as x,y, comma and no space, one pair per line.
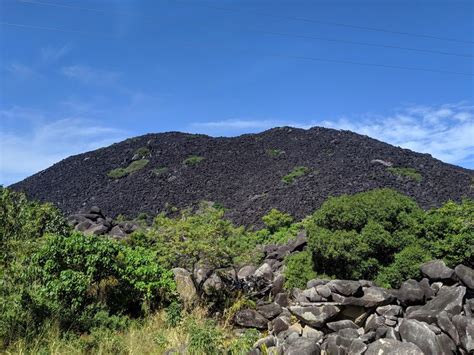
449,299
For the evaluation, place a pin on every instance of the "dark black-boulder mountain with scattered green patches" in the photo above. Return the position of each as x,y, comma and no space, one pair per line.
293,170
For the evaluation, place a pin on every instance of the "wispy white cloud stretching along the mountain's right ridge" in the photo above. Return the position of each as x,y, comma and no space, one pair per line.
446,131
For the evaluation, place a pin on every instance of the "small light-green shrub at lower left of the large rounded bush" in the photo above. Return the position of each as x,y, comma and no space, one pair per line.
298,269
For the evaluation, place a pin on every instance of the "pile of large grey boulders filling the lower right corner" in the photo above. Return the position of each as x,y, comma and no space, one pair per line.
431,316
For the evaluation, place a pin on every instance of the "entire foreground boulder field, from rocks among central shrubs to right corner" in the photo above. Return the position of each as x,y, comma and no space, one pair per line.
431,316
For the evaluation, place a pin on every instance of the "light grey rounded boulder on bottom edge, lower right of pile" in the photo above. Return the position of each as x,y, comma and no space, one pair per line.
420,334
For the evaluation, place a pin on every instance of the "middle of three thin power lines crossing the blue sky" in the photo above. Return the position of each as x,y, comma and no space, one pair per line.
335,40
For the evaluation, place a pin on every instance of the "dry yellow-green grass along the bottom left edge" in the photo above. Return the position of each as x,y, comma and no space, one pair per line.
152,335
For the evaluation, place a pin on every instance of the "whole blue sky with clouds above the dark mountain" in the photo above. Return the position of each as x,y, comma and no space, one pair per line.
78,75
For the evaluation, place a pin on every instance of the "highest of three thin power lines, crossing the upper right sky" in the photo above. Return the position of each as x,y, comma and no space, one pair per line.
338,24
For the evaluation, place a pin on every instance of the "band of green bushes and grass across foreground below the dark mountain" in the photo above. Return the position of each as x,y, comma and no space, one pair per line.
64,292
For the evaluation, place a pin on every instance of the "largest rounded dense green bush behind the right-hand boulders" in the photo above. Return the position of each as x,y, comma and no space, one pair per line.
355,236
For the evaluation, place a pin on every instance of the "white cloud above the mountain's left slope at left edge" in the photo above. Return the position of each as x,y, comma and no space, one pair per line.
26,152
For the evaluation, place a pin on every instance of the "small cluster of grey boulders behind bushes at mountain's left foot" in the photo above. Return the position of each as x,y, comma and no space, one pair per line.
94,222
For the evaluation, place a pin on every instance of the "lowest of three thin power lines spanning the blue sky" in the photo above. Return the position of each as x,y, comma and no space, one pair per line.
268,54
